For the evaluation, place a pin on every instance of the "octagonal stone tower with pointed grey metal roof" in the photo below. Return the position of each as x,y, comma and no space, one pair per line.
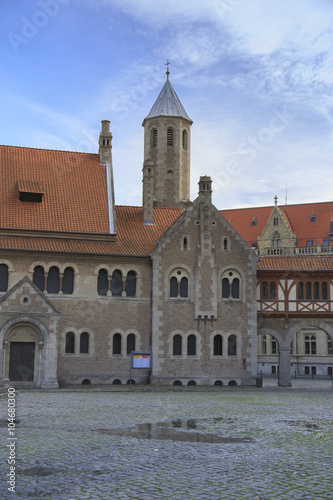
166,168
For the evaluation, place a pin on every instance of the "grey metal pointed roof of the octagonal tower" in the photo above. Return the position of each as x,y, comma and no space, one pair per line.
168,103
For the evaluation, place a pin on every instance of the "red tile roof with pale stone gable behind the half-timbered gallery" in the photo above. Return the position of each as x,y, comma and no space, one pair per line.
299,217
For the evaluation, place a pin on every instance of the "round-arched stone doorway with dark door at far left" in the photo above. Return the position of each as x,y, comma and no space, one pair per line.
23,363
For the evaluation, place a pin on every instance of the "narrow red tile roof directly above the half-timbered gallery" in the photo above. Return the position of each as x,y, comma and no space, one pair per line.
295,263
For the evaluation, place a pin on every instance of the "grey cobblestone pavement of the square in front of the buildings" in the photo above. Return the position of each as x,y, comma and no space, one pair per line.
74,445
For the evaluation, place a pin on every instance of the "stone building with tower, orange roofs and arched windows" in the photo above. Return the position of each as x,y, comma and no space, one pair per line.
84,283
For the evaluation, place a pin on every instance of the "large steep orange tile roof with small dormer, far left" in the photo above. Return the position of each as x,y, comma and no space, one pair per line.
69,203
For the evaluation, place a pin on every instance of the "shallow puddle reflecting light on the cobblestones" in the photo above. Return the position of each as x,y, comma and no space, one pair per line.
177,430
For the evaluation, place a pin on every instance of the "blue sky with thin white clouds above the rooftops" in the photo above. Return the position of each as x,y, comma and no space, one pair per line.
255,76
